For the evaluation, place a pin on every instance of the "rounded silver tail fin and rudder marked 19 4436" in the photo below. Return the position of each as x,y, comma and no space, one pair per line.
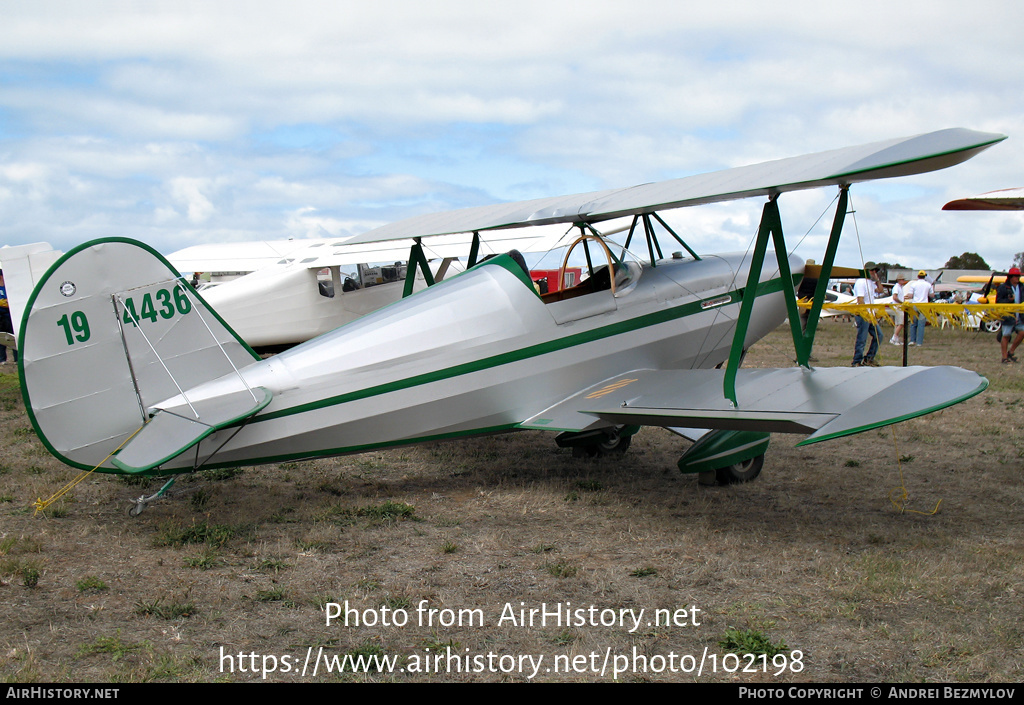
111,330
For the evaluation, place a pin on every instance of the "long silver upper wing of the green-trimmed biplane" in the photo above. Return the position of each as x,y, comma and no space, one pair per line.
878,160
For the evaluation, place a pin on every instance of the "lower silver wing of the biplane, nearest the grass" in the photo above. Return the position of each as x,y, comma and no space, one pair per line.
827,403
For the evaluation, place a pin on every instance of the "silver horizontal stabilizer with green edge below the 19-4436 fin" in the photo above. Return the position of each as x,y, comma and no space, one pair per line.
169,435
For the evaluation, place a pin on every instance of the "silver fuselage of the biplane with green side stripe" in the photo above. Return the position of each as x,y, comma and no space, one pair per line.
482,353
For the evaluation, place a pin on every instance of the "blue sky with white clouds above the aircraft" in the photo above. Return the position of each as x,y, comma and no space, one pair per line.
185,123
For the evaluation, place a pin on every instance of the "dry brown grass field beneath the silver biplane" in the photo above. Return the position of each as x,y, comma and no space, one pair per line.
814,565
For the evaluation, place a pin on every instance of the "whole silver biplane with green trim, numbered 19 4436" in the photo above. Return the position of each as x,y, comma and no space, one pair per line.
126,369
